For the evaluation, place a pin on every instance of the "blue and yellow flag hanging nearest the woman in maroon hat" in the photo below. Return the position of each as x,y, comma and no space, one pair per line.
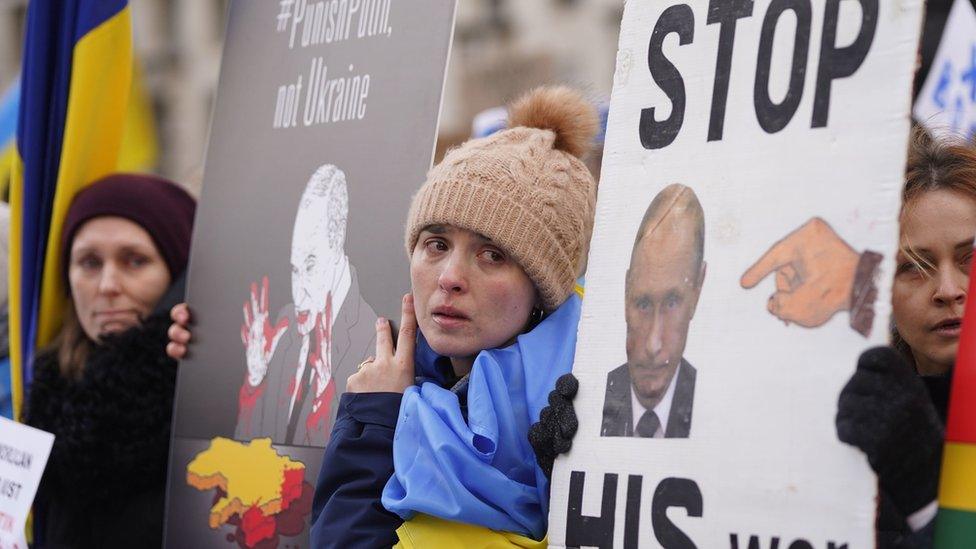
75,85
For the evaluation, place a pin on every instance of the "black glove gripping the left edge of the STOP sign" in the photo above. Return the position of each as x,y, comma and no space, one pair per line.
553,434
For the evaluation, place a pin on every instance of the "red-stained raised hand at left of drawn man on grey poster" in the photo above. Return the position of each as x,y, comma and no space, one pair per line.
259,337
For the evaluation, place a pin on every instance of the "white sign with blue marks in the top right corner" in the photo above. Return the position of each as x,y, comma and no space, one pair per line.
946,105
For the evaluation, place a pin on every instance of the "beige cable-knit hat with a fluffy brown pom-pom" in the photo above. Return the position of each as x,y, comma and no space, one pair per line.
525,188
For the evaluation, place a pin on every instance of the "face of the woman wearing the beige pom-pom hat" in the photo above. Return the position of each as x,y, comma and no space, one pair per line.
469,295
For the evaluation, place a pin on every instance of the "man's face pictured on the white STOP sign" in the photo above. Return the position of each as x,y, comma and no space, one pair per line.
662,289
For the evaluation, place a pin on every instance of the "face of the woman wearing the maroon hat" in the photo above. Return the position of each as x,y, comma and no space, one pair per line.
116,275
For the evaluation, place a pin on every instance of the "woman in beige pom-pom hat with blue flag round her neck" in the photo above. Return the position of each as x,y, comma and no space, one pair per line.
432,434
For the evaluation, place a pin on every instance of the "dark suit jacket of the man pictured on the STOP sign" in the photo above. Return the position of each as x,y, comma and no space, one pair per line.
618,415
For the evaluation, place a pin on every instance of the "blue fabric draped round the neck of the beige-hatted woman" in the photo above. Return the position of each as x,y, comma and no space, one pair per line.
483,471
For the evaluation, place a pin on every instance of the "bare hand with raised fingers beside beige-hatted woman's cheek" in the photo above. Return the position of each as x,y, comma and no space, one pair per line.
392,370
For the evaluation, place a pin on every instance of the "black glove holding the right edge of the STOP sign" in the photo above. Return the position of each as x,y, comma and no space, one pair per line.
886,411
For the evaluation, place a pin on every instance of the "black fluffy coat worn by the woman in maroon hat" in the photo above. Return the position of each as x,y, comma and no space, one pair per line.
105,482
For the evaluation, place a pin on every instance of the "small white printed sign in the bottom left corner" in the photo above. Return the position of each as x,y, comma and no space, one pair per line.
23,454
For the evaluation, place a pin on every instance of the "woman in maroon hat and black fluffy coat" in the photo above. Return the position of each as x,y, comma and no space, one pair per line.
105,386
